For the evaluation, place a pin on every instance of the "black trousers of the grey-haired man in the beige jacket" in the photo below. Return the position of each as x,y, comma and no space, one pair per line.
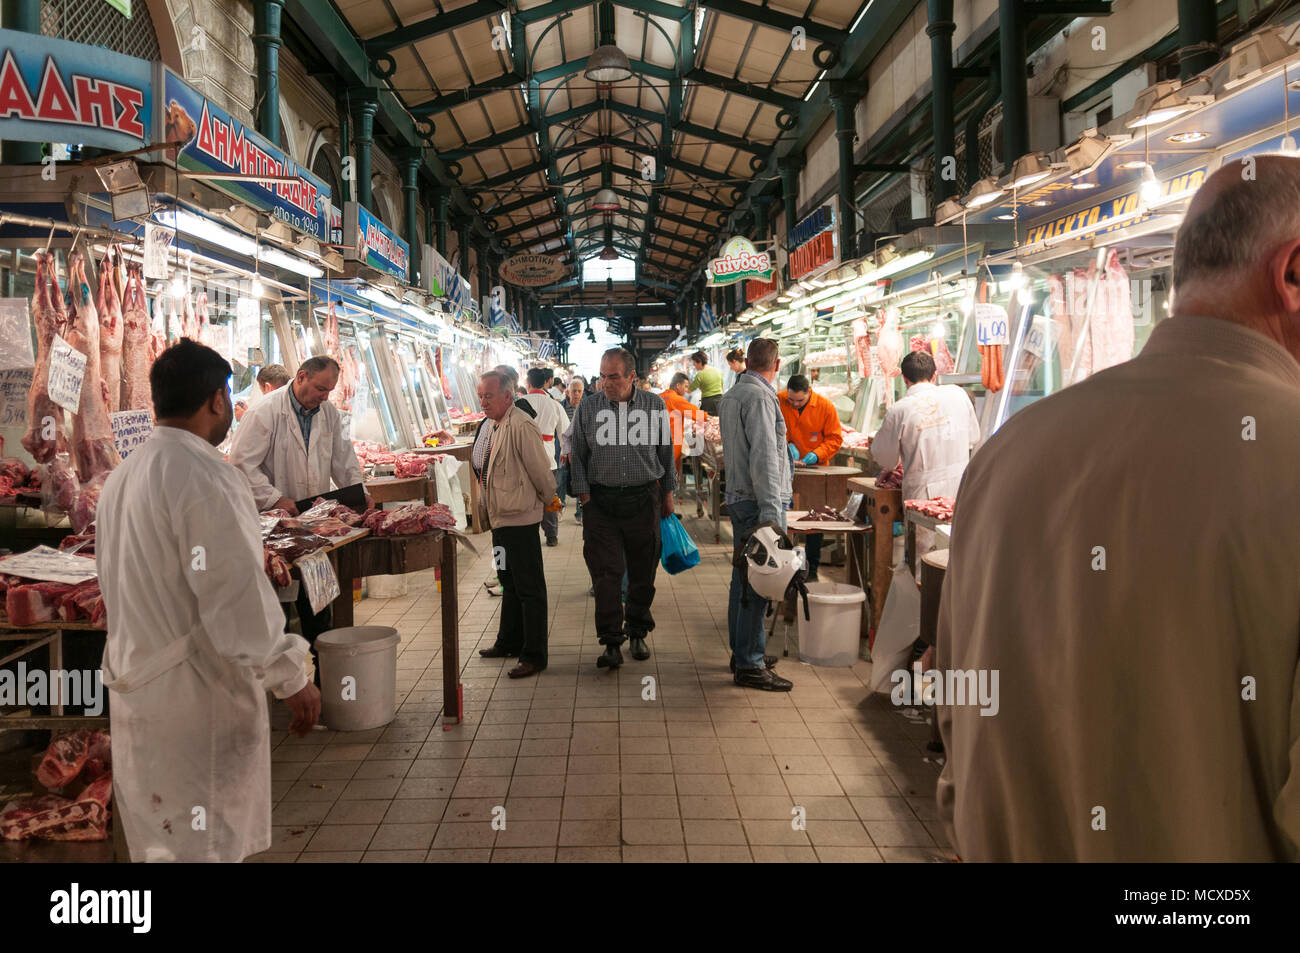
523,583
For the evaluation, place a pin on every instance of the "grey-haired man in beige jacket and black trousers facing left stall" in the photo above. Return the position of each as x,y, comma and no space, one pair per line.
517,486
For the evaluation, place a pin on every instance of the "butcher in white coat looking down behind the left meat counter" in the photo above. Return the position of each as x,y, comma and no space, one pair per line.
292,447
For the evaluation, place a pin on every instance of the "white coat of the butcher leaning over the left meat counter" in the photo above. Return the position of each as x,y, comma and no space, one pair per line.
270,450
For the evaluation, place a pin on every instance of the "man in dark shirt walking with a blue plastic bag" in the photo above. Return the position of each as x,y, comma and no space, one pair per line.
622,471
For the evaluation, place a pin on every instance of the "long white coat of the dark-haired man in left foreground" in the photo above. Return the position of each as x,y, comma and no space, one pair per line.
196,640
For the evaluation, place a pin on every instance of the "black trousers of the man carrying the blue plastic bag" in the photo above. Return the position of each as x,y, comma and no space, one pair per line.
621,534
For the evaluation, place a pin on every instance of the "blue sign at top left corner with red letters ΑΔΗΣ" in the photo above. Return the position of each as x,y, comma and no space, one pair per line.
53,90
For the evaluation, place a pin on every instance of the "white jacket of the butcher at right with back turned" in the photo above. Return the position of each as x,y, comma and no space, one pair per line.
933,431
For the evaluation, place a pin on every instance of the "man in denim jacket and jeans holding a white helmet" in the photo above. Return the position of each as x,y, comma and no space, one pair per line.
759,491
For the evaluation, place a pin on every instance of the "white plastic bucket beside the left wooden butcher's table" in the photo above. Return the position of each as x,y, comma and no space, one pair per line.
359,677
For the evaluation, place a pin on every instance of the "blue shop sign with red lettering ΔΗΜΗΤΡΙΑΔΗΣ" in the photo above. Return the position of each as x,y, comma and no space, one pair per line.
215,142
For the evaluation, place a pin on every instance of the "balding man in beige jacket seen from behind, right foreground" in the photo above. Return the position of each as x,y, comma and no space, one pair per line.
1125,561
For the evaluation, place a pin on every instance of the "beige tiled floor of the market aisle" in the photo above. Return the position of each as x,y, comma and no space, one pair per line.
587,769
